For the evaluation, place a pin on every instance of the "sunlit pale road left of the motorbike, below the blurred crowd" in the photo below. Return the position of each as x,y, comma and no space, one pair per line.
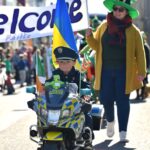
15,119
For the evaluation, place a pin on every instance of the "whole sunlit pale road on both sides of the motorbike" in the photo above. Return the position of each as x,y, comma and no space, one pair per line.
15,119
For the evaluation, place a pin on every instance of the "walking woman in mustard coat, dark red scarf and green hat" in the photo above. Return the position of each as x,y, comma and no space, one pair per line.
120,62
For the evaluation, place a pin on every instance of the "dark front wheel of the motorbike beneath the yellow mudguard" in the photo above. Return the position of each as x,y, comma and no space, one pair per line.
48,145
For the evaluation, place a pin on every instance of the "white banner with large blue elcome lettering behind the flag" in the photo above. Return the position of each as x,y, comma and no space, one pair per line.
21,23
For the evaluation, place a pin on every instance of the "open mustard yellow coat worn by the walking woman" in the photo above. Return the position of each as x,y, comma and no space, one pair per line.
135,56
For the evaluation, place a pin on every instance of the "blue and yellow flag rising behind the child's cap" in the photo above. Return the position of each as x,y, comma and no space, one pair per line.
62,30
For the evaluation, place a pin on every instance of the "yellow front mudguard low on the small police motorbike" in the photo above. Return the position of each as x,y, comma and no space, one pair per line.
54,136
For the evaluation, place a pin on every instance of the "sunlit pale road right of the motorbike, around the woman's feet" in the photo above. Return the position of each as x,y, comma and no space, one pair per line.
138,130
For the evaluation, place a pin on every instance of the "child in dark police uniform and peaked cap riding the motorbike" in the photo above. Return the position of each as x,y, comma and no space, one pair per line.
66,59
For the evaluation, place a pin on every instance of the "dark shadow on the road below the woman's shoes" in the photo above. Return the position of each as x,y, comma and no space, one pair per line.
117,146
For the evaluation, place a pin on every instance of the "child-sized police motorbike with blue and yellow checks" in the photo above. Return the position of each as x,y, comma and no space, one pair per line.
60,118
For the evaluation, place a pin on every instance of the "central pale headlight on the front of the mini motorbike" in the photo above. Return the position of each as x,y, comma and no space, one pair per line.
53,117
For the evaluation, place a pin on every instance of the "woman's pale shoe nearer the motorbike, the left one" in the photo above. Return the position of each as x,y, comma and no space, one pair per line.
110,129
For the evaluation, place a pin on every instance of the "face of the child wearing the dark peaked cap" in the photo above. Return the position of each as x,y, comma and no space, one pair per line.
66,65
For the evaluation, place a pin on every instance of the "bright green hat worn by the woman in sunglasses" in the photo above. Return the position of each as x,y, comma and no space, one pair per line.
133,13
